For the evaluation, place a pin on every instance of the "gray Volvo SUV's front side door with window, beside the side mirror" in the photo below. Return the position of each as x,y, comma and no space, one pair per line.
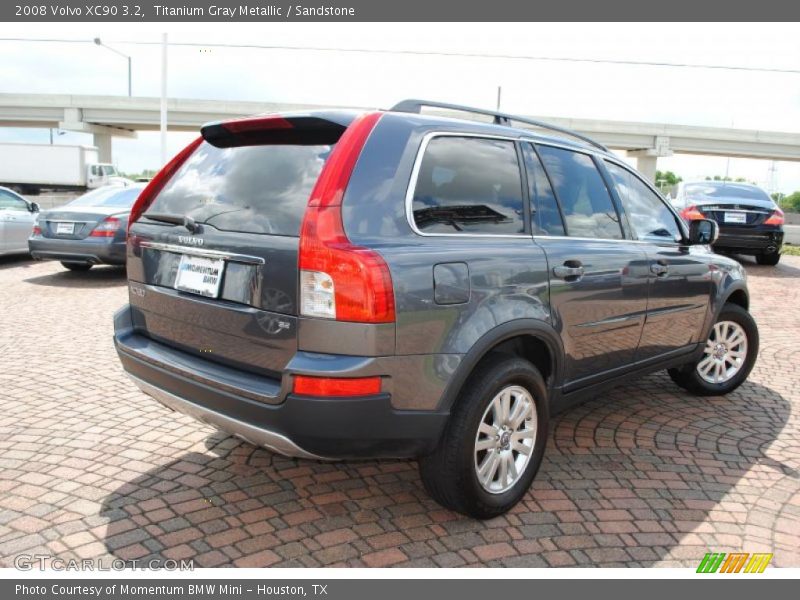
679,278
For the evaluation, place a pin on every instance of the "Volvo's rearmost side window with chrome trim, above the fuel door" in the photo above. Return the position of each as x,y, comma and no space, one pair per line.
469,185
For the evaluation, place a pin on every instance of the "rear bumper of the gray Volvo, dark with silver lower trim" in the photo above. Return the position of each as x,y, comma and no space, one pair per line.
300,426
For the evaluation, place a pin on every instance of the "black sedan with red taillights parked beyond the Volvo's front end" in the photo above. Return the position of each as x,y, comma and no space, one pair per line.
749,221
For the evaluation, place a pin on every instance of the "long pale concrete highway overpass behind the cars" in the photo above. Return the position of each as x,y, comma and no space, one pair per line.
107,116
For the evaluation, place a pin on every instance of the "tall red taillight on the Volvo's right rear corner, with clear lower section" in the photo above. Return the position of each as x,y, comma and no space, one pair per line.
339,280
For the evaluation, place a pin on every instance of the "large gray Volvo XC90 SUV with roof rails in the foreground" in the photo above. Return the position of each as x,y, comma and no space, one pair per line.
345,285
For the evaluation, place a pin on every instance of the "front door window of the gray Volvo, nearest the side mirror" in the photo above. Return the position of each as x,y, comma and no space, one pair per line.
648,215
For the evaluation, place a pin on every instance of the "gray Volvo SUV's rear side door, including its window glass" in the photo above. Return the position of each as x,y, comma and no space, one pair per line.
598,279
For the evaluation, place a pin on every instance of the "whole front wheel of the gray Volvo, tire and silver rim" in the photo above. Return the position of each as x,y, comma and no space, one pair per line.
728,356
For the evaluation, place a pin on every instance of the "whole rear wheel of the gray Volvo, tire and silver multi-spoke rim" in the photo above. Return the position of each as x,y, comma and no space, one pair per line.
494,444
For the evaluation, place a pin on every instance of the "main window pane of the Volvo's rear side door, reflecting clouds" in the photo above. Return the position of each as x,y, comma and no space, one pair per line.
584,198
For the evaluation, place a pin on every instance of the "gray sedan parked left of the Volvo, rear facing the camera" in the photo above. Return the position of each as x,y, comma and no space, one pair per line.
88,231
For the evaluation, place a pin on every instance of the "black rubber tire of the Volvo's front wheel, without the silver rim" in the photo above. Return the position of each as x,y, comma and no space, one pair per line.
689,379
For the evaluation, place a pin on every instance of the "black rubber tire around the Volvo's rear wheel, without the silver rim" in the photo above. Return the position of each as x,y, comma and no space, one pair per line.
449,473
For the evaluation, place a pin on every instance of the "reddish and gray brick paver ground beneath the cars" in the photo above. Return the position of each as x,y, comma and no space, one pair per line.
644,475
